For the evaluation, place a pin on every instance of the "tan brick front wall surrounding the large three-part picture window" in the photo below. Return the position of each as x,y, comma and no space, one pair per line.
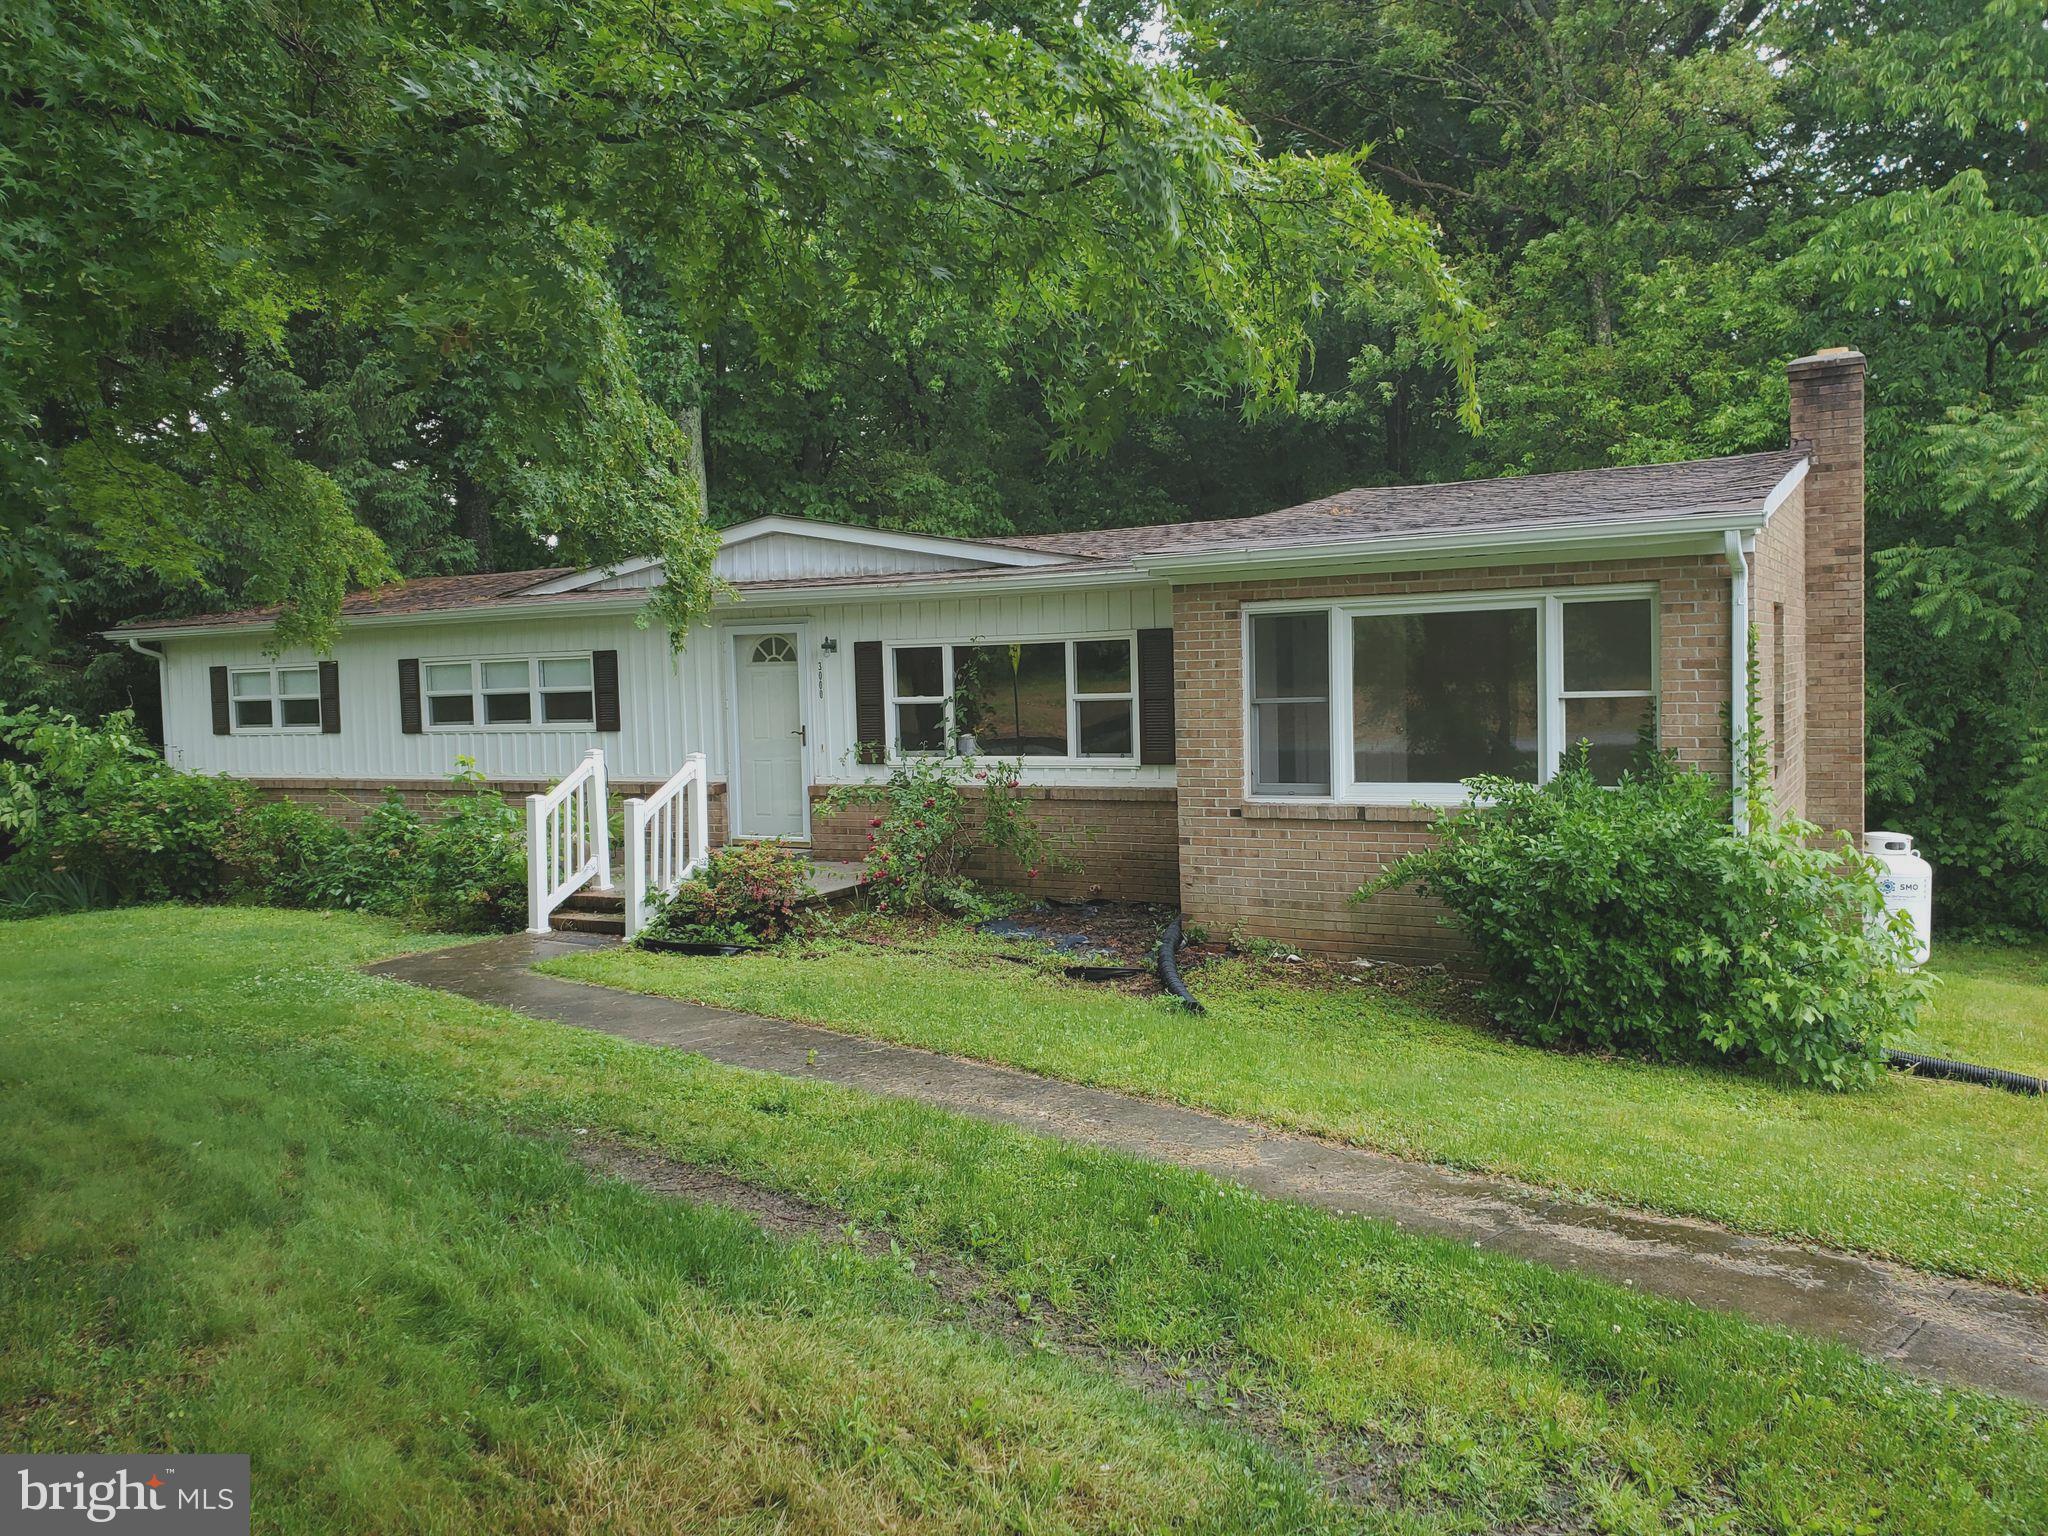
1287,871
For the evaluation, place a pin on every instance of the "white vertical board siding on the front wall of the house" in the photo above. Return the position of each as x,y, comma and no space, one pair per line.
669,703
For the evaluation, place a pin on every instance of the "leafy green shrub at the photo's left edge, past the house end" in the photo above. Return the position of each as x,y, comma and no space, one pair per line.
99,804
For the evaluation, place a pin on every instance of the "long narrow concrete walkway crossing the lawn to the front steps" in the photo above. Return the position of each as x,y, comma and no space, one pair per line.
1947,1330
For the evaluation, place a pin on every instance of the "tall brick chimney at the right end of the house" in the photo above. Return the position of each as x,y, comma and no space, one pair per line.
1828,423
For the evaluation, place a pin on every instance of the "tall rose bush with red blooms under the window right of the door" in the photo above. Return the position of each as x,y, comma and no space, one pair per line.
925,830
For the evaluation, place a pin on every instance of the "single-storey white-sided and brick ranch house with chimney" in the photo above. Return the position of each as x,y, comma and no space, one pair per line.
1242,718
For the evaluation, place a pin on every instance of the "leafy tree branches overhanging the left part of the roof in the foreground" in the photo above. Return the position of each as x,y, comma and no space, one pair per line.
191,191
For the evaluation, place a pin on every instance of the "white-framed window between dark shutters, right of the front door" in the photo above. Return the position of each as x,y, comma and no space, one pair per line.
1072,701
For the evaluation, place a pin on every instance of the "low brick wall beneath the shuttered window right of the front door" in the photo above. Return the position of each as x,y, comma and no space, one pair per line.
1123,843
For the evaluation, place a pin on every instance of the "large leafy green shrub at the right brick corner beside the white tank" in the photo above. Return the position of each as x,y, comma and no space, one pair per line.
1637,919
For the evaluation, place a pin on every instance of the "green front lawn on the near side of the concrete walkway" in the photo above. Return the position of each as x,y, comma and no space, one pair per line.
296,1211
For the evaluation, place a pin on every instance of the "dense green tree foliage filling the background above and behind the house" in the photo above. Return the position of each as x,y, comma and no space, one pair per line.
466,278
